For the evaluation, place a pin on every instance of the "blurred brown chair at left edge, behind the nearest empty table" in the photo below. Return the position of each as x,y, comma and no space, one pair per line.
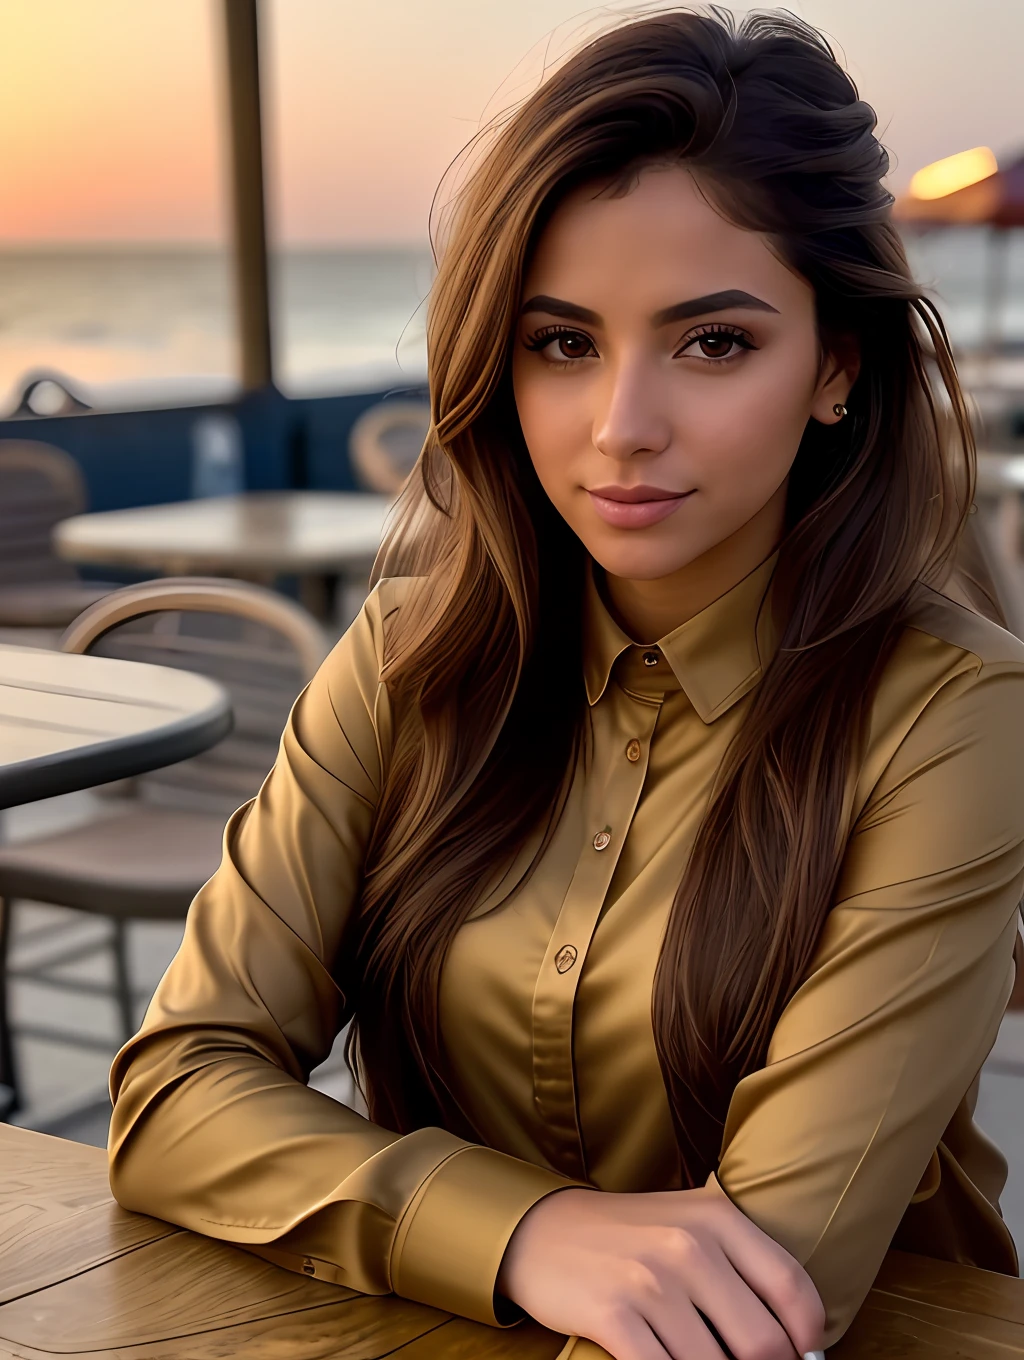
40,486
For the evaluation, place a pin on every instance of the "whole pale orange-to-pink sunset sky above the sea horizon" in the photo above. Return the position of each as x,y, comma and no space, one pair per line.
111,109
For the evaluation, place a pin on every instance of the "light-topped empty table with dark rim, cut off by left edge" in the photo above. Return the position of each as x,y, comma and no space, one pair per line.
70,723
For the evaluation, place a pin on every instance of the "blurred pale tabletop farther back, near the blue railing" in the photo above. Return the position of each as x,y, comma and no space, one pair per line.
258,535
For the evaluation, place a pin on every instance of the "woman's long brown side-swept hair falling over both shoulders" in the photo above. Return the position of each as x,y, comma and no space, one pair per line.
483,667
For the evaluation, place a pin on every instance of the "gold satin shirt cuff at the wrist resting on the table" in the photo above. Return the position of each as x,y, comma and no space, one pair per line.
451,1241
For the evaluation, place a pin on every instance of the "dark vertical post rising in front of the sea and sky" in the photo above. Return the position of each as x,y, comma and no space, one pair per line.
248,211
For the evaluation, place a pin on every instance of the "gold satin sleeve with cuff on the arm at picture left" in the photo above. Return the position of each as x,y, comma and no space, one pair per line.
214,1127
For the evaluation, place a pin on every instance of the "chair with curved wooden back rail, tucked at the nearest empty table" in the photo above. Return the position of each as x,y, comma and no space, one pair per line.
160,838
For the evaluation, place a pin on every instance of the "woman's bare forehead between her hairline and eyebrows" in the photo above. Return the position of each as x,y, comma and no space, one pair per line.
662,237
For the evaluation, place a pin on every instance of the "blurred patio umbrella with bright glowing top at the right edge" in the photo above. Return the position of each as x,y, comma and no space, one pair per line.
987,197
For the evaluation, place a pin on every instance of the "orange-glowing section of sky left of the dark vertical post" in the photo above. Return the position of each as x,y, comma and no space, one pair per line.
111,120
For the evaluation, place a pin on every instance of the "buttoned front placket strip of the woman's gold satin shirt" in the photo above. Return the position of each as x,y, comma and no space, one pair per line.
615,788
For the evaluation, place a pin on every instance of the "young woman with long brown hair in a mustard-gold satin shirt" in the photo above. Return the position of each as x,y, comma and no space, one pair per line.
659,825
